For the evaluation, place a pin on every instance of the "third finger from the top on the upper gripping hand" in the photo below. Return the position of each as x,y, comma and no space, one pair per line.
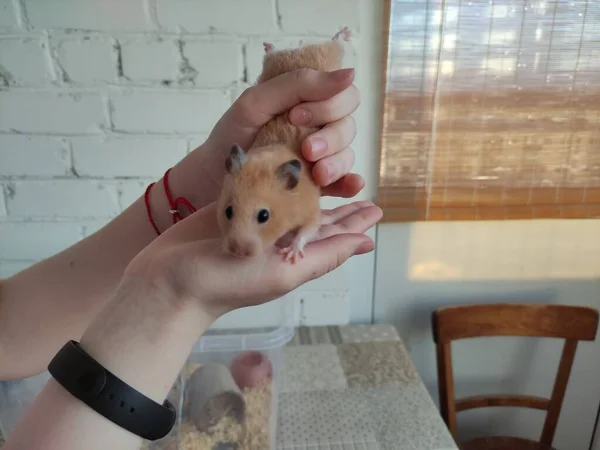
330,139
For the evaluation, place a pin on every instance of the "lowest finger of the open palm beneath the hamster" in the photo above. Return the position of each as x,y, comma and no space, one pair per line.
326,255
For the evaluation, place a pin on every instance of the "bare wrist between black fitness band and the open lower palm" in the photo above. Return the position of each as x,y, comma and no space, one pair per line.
144,337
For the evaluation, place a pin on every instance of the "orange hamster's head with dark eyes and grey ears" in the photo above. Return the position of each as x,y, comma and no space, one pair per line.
251,206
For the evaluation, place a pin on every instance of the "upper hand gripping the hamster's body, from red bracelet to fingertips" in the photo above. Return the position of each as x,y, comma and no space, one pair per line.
318,99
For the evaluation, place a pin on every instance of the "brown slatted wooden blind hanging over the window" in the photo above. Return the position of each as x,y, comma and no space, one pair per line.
491,110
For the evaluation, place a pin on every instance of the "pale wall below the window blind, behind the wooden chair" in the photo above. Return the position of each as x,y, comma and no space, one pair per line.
423,266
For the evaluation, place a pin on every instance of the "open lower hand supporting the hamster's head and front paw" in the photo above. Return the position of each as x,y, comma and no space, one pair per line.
189,264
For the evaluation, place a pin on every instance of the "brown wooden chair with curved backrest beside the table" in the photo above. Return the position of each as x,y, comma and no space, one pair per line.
571,323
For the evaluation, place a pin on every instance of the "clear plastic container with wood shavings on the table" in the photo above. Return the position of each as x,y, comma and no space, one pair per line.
269,329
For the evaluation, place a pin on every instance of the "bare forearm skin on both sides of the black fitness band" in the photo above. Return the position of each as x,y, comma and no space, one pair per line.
140,336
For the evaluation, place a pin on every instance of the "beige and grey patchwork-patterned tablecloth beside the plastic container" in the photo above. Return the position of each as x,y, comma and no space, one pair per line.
355,387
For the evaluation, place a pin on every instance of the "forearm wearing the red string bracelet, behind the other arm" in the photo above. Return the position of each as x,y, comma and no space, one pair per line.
59,296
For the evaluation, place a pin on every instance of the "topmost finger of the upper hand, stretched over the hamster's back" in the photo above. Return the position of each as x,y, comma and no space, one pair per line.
260,103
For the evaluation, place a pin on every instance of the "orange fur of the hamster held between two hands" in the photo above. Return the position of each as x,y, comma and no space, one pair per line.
256,186
